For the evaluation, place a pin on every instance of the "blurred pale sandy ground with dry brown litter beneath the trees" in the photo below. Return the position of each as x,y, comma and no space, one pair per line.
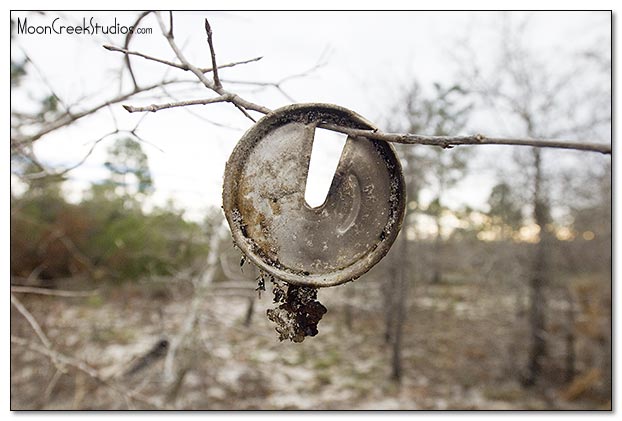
464,348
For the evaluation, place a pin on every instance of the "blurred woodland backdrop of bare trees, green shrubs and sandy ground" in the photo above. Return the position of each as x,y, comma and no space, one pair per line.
117,303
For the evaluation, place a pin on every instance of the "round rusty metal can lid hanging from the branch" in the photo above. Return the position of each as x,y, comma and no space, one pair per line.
263,199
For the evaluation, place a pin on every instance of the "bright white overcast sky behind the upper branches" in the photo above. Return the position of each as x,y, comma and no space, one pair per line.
369,56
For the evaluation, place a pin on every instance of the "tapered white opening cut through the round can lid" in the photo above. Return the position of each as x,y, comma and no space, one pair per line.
325,156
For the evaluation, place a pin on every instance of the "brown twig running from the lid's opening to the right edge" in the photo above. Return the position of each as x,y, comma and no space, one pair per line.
478,139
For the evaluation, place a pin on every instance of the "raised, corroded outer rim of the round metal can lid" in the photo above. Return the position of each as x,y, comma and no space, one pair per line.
307,113
